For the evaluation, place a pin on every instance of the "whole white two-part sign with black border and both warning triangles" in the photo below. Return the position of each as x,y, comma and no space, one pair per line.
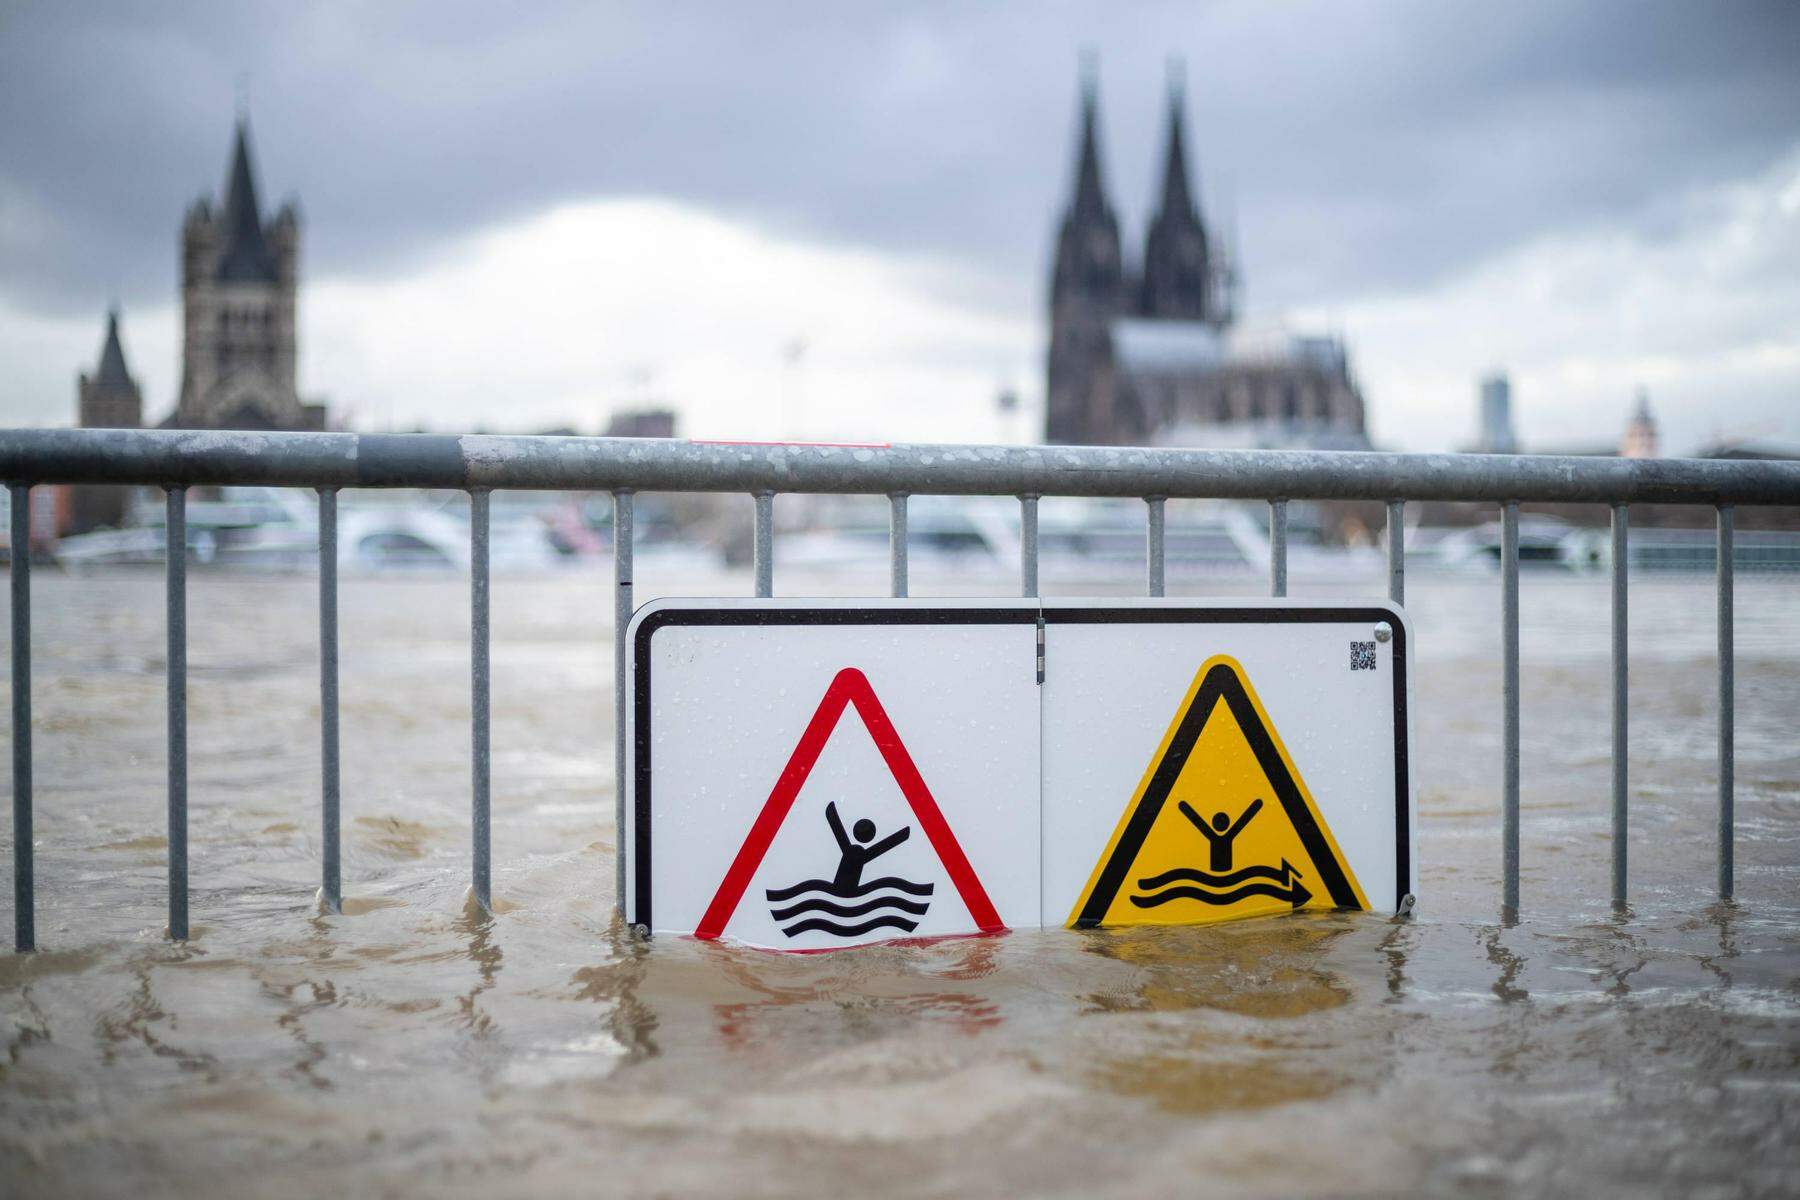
814,775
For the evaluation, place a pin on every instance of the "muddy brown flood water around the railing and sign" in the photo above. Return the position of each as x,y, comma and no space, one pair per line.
417,1048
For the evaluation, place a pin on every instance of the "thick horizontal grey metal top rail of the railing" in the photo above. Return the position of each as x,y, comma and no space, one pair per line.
492,461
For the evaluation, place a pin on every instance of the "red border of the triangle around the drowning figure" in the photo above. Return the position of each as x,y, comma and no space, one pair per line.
849,688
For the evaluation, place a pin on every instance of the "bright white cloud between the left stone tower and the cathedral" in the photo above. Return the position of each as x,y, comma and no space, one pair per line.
620,303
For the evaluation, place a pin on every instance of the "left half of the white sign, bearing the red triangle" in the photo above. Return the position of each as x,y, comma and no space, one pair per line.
820,775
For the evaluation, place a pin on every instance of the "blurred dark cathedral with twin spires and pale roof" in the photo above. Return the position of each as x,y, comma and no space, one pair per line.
1153,354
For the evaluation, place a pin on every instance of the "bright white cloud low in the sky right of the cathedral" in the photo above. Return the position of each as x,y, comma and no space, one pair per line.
1707,319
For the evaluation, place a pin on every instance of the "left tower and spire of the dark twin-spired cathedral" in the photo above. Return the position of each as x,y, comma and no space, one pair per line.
1088,292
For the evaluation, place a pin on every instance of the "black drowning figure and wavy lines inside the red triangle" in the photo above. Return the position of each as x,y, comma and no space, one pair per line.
888,902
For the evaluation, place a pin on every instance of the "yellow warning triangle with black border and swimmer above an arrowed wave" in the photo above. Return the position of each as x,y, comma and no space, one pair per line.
1221,825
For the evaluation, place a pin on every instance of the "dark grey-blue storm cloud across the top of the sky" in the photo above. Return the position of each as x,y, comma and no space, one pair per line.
1363,148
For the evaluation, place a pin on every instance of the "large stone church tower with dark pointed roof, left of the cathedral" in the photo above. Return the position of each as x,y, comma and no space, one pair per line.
238,312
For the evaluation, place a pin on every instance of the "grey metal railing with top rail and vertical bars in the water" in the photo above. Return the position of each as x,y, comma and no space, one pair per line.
481,463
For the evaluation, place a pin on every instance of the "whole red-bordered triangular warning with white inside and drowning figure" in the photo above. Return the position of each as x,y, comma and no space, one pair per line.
874,877
